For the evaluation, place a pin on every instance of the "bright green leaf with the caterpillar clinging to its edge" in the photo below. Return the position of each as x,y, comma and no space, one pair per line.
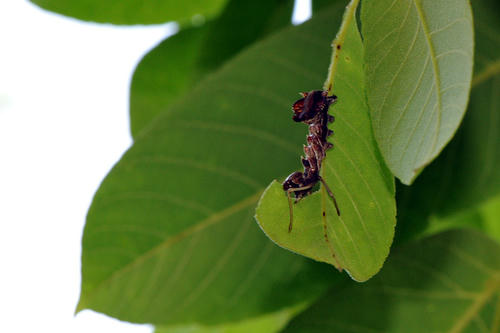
359,240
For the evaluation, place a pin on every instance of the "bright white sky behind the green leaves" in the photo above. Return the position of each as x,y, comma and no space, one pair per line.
63,124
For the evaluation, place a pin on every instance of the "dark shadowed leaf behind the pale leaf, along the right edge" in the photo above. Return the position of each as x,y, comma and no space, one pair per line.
465,174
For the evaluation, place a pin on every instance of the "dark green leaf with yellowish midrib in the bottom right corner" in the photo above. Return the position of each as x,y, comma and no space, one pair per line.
446,283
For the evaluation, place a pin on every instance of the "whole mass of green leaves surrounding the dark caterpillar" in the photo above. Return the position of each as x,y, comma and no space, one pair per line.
171,238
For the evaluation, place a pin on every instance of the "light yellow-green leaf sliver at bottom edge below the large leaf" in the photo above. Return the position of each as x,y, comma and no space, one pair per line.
270,323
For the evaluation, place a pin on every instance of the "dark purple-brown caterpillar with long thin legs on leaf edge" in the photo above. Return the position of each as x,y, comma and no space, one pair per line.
312,109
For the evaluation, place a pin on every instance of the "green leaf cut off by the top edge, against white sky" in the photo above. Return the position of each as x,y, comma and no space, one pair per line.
133,11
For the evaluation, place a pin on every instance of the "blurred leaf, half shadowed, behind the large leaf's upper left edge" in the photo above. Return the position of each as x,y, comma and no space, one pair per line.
178,63
